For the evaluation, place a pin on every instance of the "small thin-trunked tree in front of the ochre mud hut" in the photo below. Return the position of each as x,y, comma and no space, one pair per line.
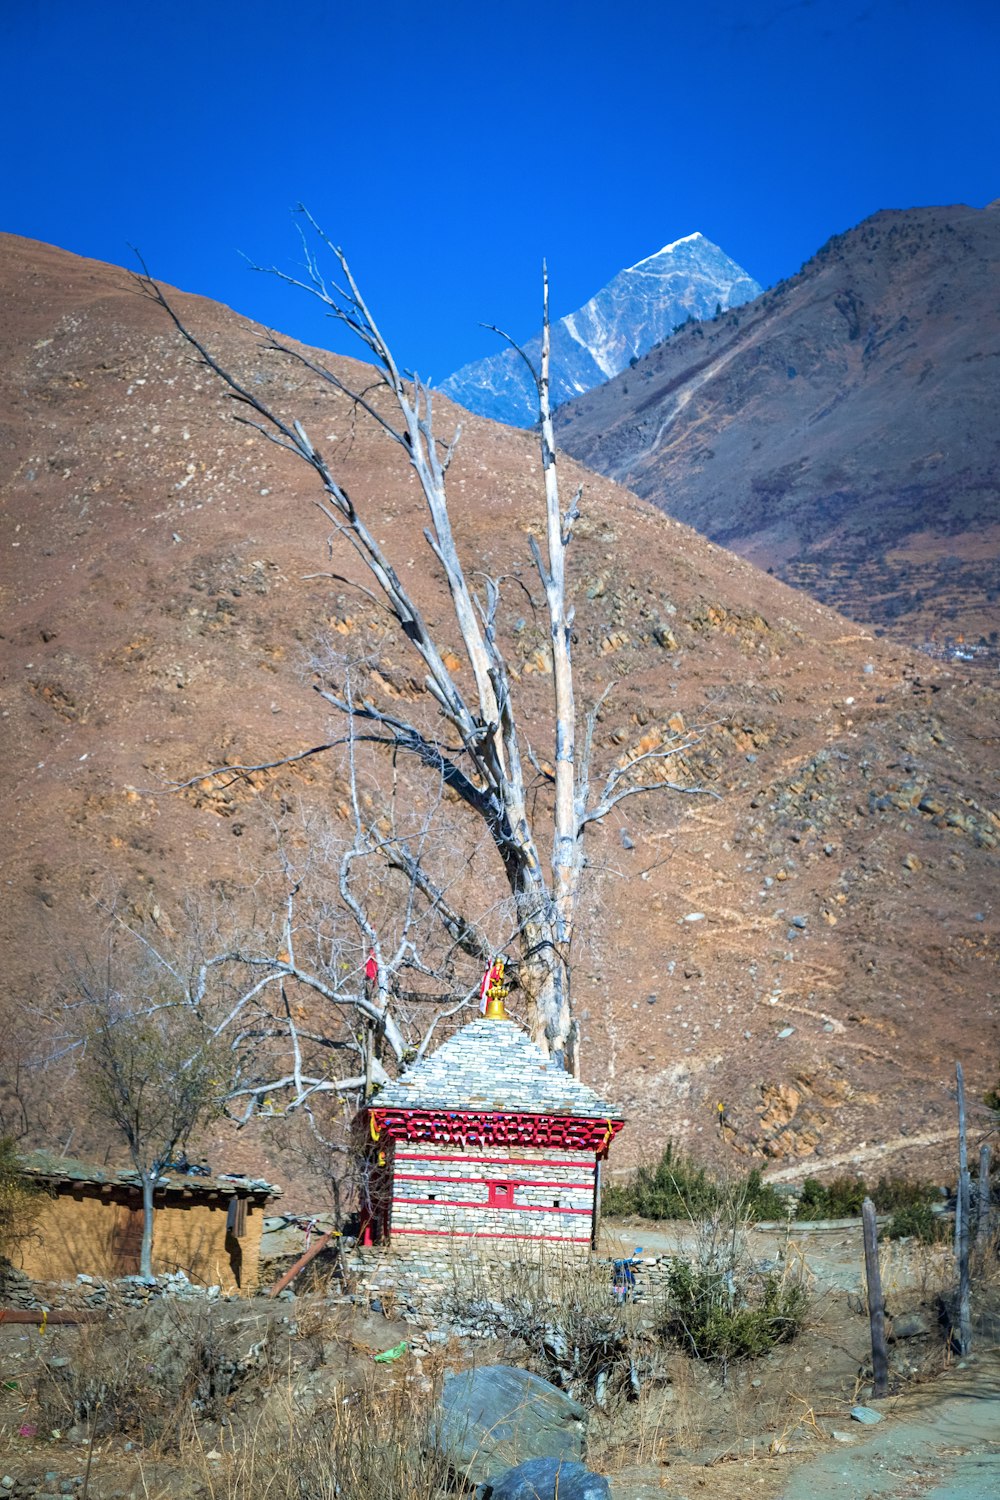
154,1075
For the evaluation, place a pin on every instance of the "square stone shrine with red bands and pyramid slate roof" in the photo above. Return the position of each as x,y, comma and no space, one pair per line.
488,1141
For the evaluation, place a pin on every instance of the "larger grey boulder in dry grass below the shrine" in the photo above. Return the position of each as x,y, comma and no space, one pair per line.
497,1417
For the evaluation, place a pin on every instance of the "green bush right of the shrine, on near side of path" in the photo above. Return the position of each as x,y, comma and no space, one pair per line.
726,1315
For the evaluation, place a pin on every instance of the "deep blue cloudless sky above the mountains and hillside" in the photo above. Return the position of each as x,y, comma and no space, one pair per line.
451,146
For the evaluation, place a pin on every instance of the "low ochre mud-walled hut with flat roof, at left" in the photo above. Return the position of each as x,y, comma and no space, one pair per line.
92,1222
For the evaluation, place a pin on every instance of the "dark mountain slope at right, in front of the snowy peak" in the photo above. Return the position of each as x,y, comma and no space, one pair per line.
842,430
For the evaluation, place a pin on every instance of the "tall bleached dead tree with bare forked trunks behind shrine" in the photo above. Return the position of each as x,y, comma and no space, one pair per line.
481,757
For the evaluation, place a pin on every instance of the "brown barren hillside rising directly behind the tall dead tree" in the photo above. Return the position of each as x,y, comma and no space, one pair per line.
813,949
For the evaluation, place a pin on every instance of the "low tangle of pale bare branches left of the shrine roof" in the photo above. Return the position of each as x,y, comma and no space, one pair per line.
344,962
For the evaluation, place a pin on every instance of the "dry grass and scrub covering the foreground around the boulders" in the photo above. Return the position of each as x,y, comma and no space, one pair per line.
235,1412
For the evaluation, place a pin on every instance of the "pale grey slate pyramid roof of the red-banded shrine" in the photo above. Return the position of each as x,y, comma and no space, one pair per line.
493,1066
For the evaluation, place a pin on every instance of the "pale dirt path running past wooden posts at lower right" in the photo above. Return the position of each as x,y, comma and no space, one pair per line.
938,1441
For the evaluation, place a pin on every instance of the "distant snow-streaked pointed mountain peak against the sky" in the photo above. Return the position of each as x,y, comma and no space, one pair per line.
639,308
